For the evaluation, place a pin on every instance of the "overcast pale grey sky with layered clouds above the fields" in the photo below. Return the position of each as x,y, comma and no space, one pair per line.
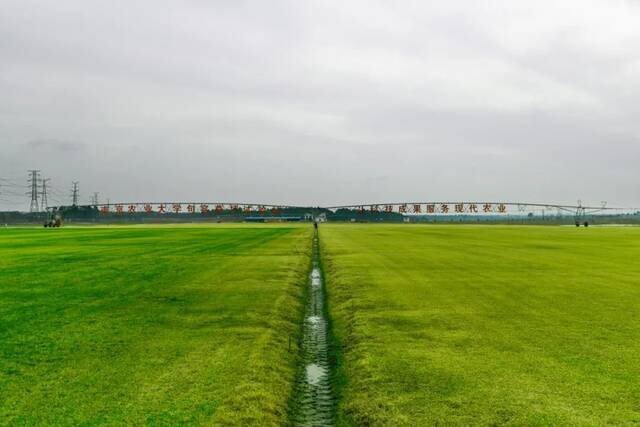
326,102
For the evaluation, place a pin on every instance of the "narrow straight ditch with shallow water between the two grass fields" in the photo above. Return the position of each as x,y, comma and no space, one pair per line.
313,399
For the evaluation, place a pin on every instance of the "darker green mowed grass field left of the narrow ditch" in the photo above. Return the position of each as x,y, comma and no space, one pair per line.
157,325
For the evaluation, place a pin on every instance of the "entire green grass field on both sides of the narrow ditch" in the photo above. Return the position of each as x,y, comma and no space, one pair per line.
434,324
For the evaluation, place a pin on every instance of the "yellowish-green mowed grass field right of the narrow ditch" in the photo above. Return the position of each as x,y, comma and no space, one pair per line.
485,324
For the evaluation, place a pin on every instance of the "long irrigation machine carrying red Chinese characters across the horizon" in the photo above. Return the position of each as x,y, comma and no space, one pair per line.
403,211
